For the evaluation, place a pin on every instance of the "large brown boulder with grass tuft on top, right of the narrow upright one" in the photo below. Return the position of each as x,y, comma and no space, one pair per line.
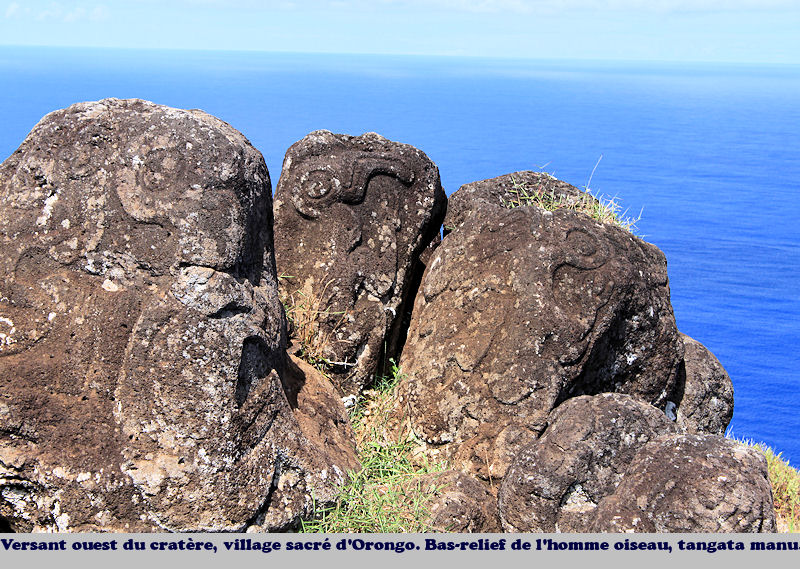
521,309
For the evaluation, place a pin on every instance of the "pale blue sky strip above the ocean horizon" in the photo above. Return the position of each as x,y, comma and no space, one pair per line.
762,31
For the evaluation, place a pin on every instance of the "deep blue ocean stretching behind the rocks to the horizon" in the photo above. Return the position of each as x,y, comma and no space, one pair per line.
707,155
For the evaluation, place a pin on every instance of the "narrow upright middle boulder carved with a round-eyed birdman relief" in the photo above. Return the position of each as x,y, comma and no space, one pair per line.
352,216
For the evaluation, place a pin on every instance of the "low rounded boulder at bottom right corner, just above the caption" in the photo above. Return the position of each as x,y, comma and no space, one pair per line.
691,483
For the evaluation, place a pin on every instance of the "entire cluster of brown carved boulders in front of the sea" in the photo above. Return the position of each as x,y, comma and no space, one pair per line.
148,382
